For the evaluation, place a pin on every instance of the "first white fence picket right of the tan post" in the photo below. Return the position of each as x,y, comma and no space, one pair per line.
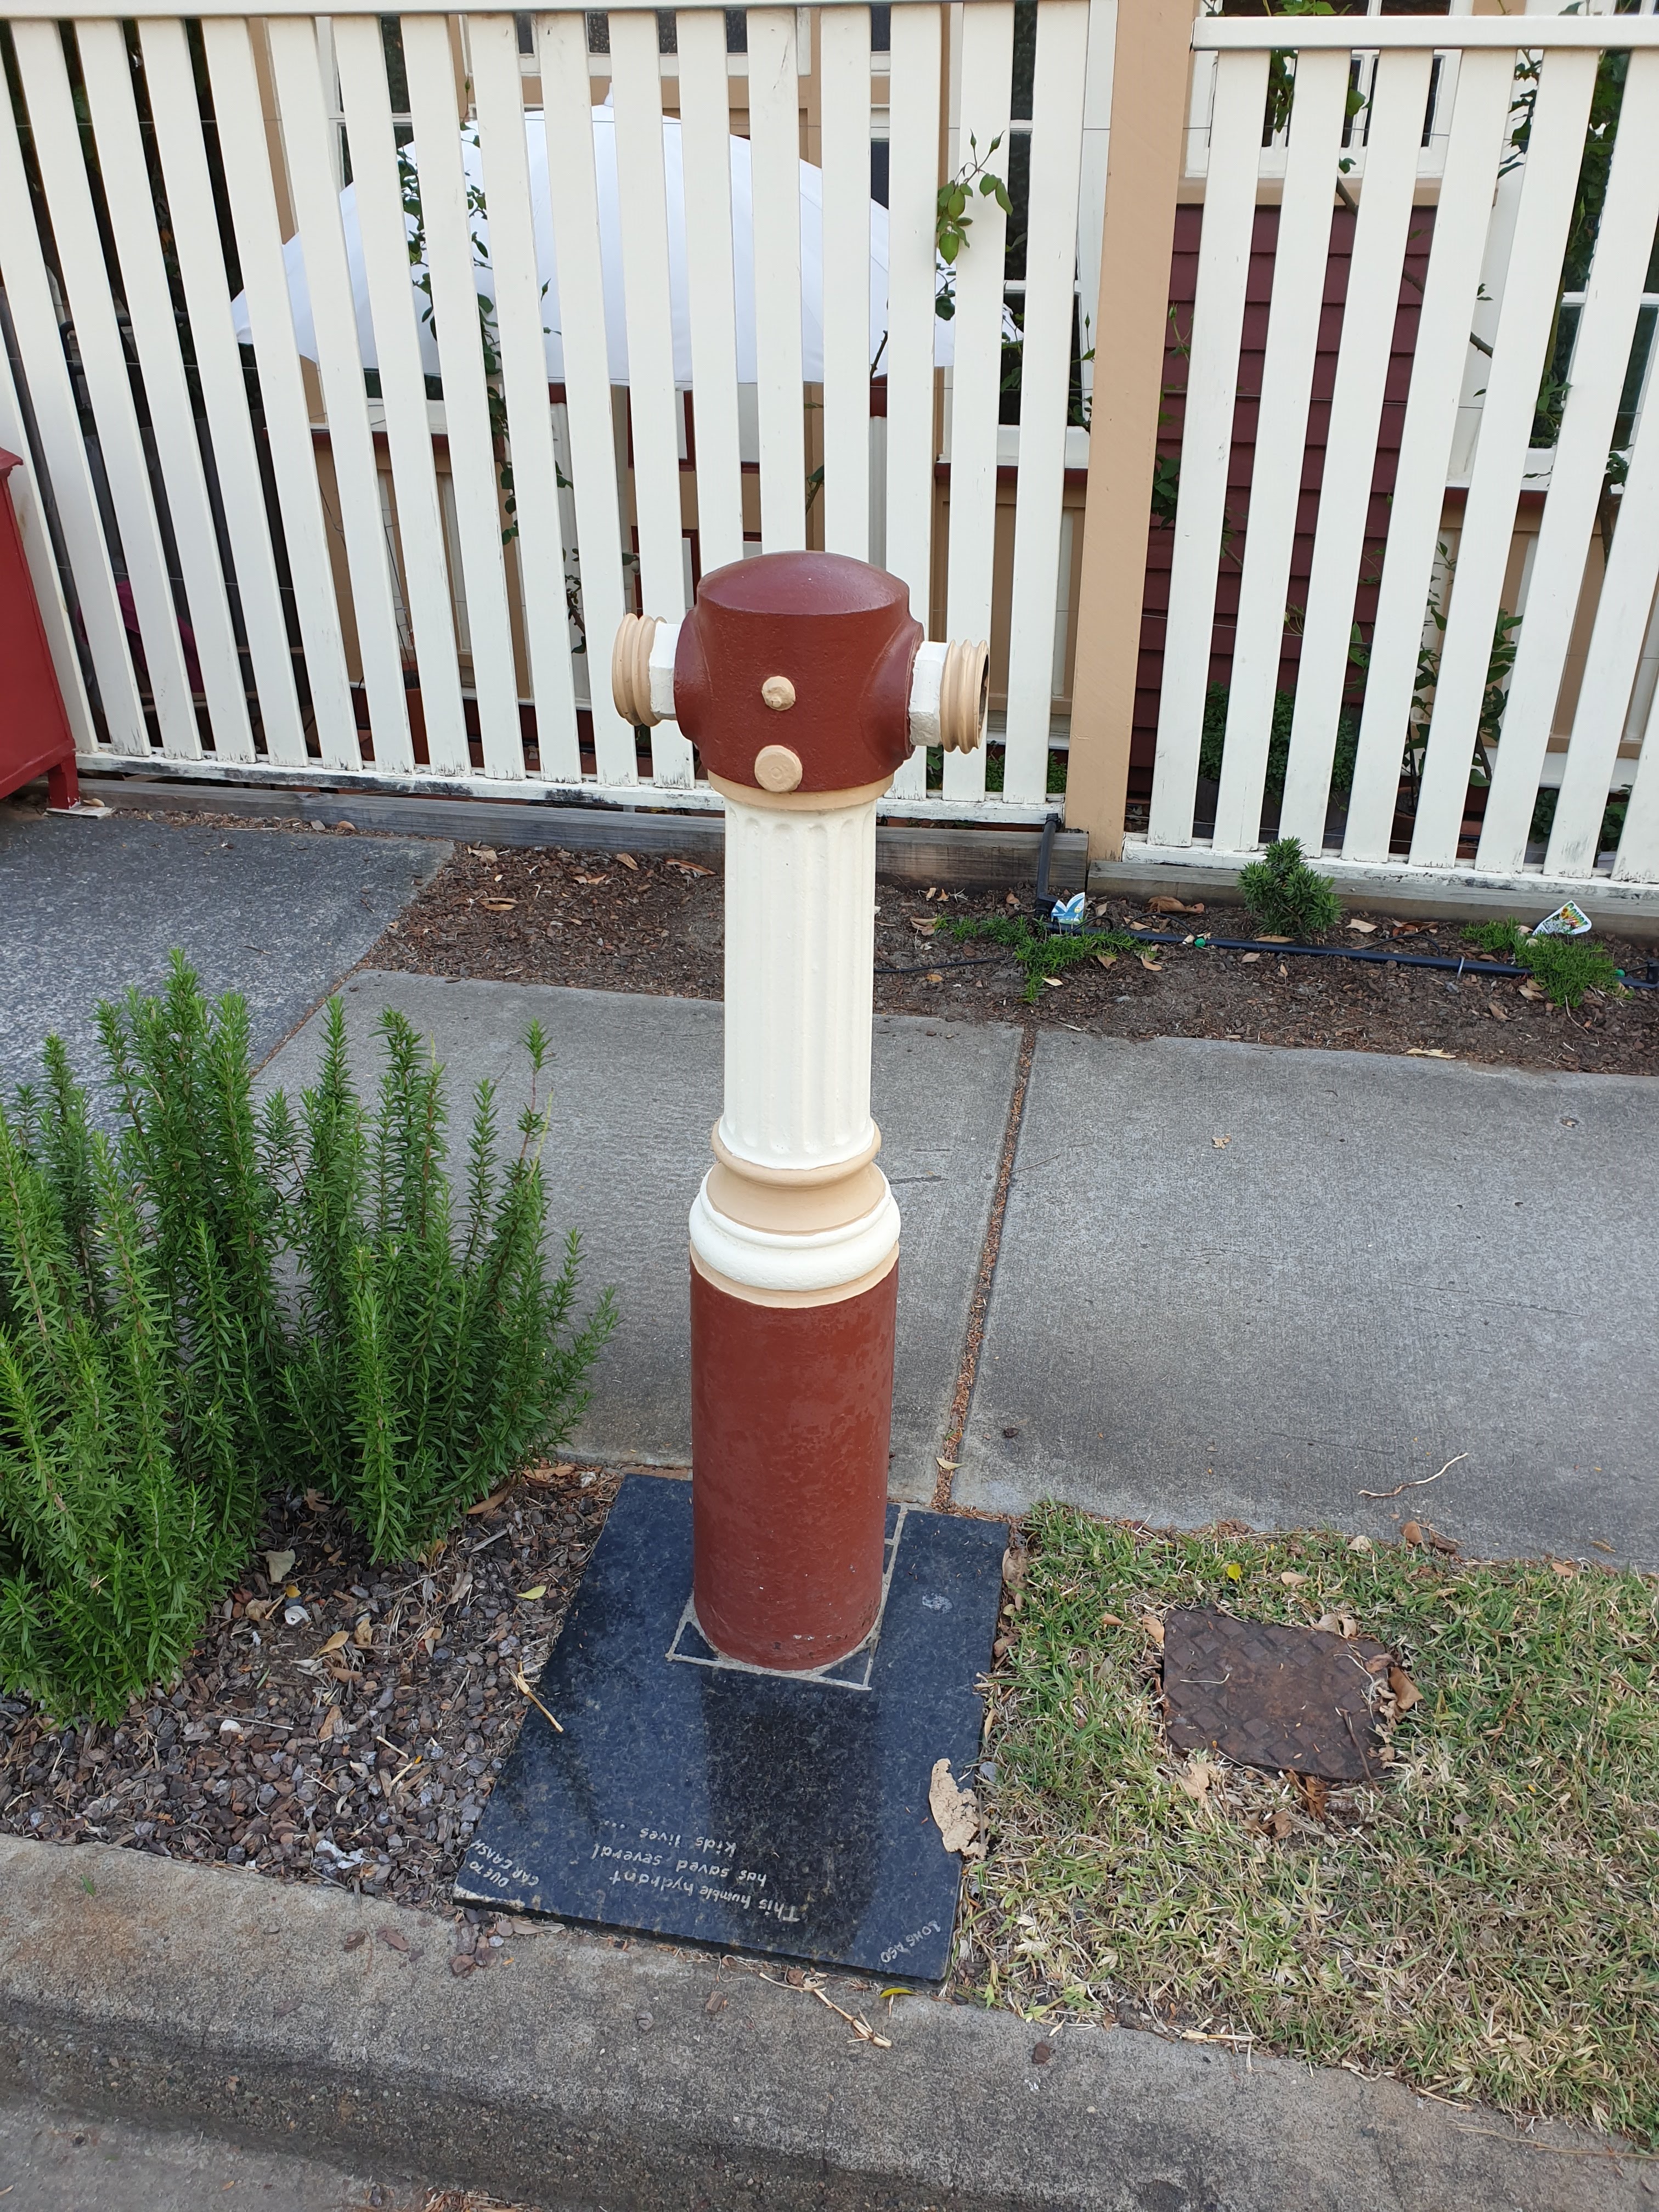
1207,437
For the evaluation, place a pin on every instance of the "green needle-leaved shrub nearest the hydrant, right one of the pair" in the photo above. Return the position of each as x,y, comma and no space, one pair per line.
432,1357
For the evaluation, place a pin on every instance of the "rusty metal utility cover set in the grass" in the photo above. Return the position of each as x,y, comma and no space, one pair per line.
1288,1700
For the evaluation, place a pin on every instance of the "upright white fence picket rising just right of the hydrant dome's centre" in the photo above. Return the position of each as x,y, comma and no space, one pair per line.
844,76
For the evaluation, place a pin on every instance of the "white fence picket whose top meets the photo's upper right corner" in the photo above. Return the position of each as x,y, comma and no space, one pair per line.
1600,355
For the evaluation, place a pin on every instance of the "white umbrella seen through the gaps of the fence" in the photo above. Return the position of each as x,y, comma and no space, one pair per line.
605,163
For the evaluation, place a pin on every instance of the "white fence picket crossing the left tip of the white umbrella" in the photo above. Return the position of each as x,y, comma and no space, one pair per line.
282,386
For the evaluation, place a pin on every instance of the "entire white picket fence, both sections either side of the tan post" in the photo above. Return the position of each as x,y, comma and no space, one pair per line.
262,565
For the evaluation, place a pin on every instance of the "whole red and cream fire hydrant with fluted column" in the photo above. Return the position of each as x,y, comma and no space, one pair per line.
804,682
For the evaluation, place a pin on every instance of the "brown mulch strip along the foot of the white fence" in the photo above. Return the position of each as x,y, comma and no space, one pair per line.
612,924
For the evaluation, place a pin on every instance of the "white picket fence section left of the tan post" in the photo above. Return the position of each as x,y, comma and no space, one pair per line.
262,616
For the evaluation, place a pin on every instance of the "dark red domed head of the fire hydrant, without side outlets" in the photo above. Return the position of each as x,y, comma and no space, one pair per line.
802,651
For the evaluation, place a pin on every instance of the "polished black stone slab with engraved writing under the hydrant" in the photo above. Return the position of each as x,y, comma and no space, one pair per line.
738,1808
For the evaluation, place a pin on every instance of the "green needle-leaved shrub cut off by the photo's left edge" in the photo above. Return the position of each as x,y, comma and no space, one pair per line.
136,1337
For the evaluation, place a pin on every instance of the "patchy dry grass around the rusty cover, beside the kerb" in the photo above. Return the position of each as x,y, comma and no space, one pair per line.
1485,1926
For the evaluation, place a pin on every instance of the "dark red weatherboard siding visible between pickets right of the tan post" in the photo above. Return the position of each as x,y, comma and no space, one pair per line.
1185,278
